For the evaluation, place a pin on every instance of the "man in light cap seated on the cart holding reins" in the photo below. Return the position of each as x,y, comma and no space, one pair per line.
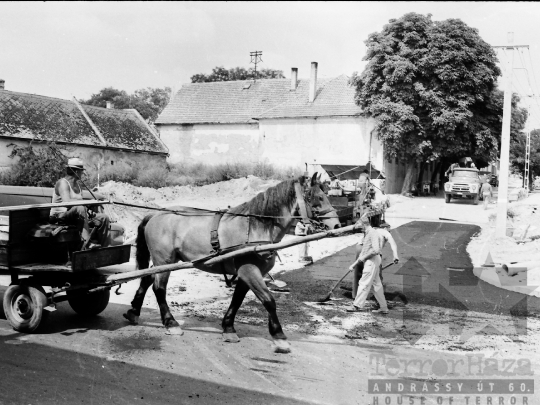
68,189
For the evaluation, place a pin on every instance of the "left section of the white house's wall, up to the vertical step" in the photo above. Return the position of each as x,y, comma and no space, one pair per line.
211,143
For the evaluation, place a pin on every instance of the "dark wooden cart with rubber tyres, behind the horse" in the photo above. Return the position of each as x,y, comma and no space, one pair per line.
37,254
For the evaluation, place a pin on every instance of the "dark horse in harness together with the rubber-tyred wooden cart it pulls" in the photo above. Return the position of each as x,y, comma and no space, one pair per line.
37,254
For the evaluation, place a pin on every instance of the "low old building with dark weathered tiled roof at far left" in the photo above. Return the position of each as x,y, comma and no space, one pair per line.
97,135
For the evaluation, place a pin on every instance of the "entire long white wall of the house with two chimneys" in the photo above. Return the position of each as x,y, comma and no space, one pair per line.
290,142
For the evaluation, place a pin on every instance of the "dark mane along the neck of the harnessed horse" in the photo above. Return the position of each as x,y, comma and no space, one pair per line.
270,202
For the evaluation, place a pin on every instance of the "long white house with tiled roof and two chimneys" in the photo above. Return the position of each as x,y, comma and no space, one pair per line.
287,122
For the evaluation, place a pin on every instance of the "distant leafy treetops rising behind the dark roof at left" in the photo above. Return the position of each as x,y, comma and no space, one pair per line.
148,102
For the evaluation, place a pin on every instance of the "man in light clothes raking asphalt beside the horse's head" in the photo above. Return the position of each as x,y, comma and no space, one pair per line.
370,255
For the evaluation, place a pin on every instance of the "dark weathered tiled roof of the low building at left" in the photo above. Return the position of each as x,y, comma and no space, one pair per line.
37,117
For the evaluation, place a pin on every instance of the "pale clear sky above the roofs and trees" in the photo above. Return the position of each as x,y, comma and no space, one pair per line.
67,49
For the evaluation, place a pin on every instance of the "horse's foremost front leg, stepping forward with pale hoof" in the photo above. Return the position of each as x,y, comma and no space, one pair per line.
252,276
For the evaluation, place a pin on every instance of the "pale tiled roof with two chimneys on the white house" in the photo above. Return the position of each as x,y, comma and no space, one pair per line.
244,101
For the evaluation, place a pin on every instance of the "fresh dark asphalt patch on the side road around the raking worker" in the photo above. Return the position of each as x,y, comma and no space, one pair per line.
435,269
